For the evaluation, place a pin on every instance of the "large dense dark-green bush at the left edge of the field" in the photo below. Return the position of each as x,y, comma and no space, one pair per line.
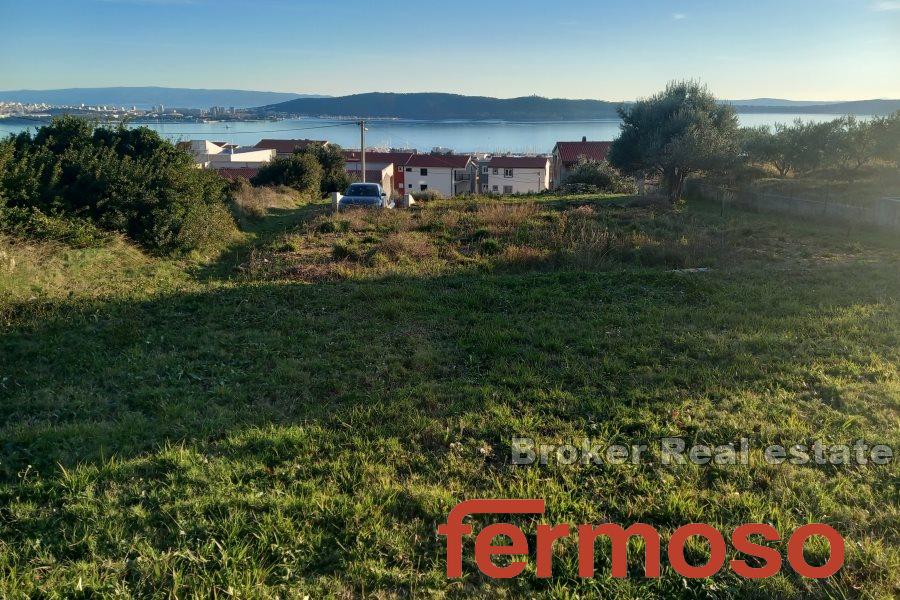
121,180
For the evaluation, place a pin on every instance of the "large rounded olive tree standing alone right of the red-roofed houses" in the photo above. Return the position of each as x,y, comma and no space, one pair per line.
680,131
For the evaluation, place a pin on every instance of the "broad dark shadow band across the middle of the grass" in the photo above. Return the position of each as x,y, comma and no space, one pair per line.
120,378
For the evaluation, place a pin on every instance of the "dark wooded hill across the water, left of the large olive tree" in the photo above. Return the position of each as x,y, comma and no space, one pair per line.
434,106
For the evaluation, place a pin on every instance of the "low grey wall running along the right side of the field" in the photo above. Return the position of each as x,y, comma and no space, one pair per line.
882,214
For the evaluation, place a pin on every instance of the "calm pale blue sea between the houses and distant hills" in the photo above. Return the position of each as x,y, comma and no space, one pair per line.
460,136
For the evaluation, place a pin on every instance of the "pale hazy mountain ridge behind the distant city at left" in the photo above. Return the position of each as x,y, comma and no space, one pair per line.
144,97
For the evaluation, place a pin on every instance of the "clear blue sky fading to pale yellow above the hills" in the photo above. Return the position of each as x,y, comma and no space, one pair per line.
613,50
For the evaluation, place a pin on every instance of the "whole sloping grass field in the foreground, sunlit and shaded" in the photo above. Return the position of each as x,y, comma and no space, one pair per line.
295,417
